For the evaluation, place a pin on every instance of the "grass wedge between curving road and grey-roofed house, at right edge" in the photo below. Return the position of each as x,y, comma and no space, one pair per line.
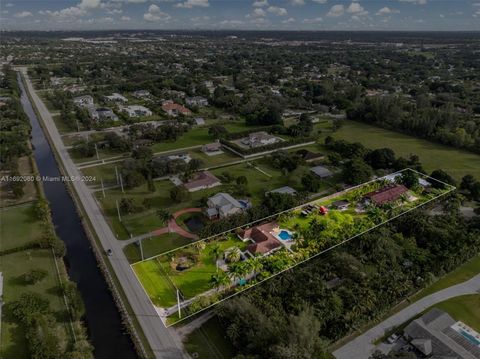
465,308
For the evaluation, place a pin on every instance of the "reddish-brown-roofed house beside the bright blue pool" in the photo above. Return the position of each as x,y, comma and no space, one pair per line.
263,241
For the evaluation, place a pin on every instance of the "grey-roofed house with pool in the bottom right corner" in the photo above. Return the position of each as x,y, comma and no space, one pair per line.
437,335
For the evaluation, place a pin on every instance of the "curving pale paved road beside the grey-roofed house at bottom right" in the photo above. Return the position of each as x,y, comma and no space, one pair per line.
361,347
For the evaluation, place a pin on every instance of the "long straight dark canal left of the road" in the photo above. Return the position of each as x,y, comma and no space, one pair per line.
105,329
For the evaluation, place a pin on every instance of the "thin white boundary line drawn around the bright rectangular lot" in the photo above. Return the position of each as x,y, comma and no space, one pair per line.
449,187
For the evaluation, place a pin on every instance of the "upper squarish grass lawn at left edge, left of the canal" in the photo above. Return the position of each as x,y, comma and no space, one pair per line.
18,226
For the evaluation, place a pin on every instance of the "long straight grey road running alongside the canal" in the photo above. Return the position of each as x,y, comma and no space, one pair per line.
164,342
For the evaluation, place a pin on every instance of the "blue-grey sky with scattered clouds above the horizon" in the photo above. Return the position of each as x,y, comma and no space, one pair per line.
434,15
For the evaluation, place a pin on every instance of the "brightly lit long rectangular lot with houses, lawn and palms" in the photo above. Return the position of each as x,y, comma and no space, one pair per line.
186,280
